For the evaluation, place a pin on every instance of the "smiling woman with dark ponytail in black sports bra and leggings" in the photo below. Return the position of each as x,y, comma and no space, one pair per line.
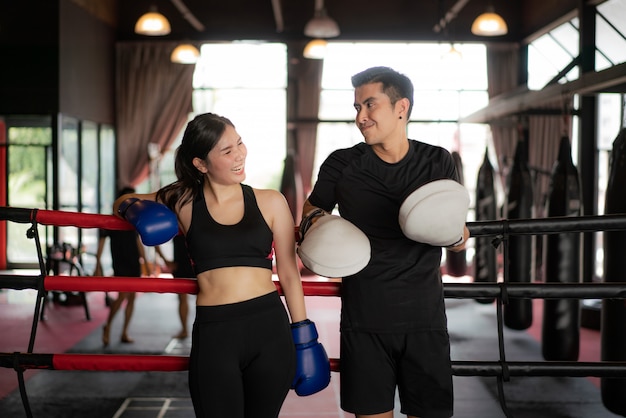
242,360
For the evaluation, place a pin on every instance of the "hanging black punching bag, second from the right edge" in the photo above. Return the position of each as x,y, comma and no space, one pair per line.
560,333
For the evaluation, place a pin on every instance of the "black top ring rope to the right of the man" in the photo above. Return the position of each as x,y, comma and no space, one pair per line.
552,225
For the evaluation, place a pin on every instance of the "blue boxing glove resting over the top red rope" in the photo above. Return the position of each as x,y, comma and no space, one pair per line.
154,222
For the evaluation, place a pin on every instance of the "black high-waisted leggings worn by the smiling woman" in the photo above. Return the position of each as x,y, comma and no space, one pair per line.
242,359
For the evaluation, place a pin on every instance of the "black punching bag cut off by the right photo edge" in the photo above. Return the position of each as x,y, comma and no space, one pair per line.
613,328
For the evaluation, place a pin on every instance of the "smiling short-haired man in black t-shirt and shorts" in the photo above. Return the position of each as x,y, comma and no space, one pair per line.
393,321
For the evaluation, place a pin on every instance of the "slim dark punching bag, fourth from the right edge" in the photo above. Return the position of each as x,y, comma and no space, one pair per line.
485,262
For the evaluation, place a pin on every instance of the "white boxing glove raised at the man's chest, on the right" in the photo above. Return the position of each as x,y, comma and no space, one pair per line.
435,213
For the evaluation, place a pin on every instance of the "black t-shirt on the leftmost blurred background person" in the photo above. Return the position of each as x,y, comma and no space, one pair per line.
124,252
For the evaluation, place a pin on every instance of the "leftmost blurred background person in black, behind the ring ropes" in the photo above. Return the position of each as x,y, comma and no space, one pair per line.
127,253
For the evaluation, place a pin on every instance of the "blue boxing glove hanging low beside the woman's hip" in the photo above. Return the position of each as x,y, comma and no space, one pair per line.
312,365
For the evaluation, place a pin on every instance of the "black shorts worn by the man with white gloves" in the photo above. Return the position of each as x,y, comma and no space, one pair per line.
418,364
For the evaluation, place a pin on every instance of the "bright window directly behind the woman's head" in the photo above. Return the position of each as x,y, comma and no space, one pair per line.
246,82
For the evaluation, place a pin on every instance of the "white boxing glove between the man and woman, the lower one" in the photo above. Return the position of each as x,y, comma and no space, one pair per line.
332,246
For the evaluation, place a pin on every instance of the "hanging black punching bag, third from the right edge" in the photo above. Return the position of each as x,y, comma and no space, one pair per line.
518,313
